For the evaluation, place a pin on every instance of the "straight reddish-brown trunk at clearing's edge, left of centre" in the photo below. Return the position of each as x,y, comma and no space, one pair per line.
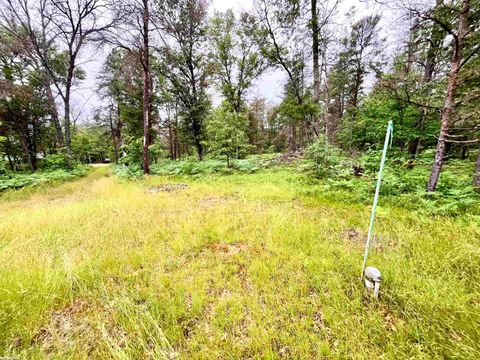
146,88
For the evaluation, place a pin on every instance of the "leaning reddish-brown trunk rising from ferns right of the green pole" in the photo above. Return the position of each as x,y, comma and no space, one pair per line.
447,110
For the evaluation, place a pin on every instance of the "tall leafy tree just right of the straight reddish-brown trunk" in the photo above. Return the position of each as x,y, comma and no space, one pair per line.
183,32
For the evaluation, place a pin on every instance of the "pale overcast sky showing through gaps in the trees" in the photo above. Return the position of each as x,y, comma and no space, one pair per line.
270,85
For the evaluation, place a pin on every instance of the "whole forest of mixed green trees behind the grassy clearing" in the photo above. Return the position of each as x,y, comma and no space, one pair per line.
166,58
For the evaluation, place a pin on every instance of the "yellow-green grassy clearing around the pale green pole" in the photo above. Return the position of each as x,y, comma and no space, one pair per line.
240,266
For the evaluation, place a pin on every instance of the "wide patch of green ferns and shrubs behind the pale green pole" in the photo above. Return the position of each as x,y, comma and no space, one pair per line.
353,180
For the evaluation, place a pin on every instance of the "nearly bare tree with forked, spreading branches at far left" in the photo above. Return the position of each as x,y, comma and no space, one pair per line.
73,25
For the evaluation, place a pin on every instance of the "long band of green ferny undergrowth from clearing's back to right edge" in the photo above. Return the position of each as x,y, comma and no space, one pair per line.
332,174
